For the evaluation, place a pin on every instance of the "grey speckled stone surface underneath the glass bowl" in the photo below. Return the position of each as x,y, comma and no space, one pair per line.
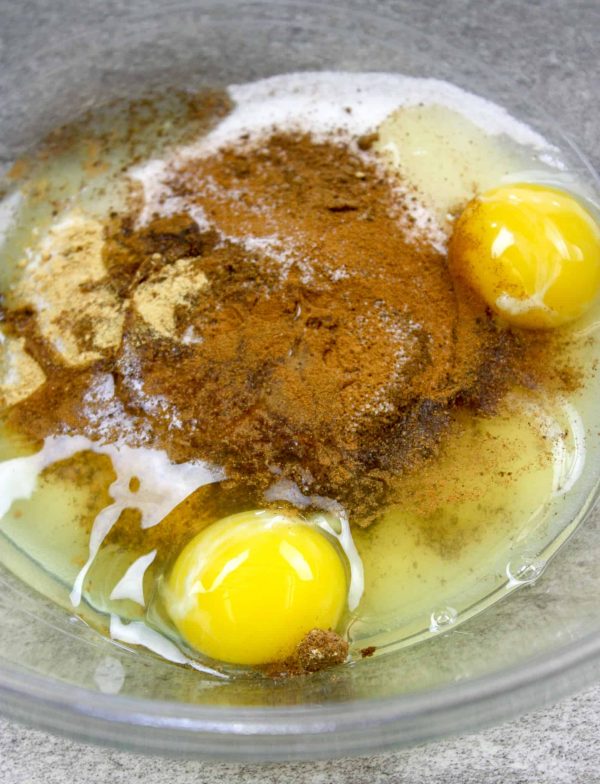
560,744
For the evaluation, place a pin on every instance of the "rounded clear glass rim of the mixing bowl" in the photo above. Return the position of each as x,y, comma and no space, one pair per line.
312,731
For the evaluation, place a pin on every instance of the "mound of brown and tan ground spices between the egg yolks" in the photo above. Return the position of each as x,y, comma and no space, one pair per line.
282,317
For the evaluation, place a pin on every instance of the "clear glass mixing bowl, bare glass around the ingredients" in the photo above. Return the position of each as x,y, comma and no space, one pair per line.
537,644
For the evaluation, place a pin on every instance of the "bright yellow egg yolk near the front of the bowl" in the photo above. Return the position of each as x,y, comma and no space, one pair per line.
248,588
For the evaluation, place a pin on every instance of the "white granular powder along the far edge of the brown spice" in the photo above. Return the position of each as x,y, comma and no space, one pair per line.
327,104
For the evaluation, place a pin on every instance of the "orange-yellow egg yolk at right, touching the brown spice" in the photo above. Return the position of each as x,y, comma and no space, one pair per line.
532,252
